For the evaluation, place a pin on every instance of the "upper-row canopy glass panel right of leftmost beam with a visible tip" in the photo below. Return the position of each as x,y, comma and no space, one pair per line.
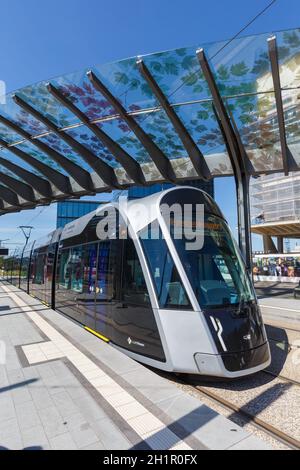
39,98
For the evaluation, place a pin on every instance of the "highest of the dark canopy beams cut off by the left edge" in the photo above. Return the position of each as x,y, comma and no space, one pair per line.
81,176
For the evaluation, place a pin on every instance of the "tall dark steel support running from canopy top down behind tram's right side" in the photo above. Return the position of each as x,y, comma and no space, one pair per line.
239,161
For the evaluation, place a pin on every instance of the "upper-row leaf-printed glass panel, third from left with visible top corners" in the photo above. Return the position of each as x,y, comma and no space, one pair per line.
77,88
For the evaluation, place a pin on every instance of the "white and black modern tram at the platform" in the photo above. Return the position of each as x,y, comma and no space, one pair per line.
186,310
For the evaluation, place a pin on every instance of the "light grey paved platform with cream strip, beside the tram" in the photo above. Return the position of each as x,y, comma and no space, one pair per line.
63,388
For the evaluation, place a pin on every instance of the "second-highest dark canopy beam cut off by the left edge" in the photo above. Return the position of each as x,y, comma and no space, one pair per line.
61,182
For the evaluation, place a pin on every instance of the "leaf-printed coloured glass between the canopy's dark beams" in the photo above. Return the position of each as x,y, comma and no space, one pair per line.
240,69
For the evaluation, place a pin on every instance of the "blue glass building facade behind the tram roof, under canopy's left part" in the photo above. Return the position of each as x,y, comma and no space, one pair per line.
68,211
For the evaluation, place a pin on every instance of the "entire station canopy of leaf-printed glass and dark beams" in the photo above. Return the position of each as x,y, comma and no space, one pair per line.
194,112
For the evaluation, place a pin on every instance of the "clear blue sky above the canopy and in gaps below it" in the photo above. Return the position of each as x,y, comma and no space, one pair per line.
42,39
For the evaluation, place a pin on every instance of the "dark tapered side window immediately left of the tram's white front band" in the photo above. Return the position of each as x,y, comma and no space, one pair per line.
134,289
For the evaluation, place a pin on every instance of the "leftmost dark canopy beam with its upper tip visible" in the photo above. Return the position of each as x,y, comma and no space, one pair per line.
105,171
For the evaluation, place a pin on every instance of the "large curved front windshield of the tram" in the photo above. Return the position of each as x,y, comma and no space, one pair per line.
216,271
